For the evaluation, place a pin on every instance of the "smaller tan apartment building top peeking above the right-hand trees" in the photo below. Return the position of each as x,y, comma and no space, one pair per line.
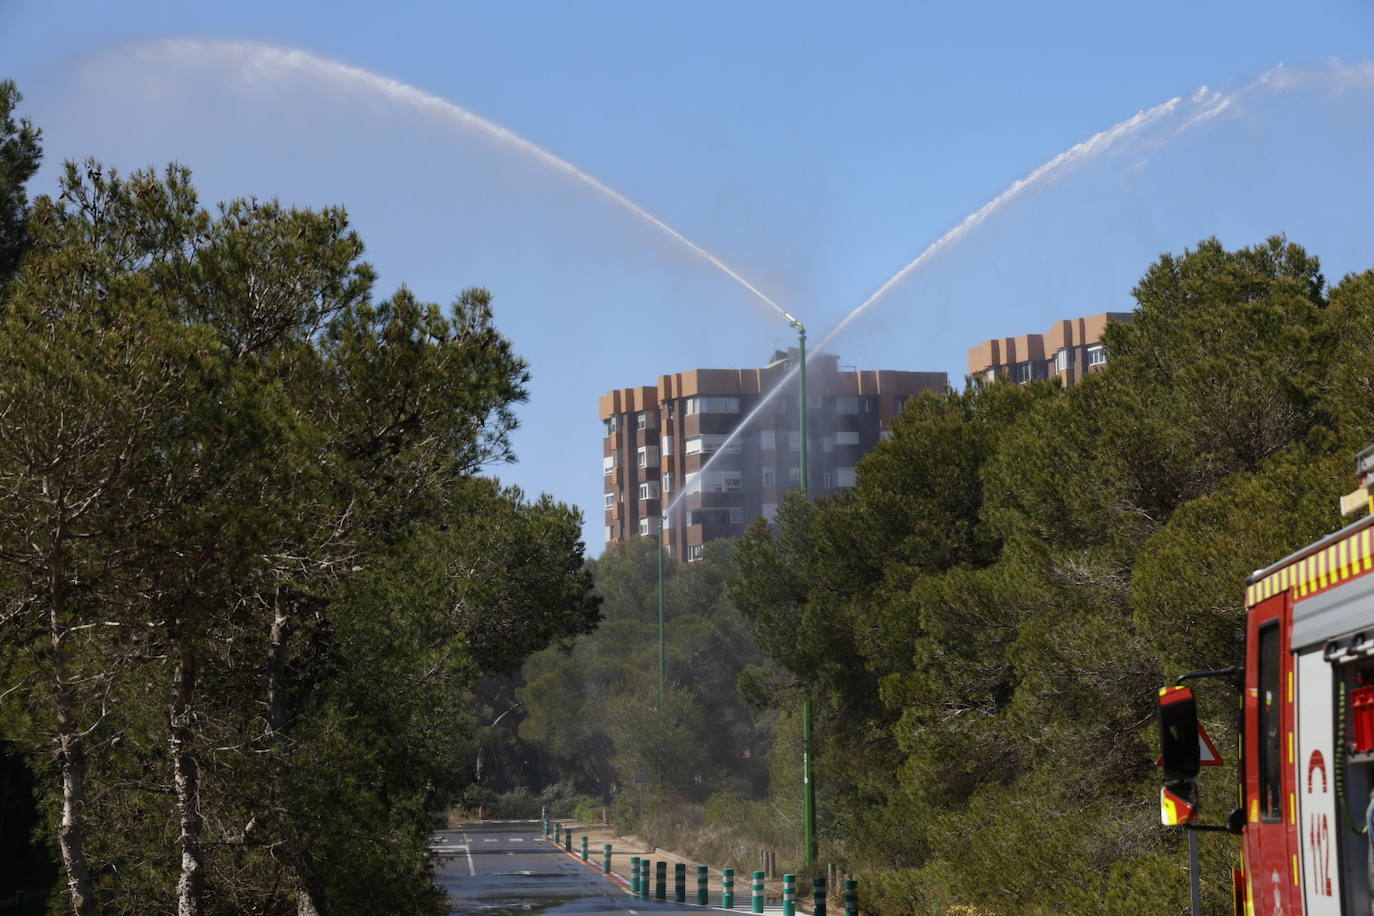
1068,351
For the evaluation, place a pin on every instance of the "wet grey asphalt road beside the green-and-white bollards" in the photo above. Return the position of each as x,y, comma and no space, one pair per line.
495,869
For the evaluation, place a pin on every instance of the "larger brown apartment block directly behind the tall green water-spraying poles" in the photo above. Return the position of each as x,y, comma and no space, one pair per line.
660,439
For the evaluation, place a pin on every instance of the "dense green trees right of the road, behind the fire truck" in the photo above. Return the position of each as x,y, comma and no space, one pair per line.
983,621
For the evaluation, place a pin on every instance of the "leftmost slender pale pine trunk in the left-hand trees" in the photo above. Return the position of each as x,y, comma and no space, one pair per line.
71,753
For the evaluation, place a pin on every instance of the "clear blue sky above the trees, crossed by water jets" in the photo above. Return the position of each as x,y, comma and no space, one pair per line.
817,149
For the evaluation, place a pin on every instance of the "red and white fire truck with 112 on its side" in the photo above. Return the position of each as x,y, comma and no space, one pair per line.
1306,756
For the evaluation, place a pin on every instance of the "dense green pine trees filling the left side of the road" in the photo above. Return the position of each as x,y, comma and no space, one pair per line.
251,576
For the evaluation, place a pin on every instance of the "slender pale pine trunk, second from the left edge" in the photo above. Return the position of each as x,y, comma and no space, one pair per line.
186,774
